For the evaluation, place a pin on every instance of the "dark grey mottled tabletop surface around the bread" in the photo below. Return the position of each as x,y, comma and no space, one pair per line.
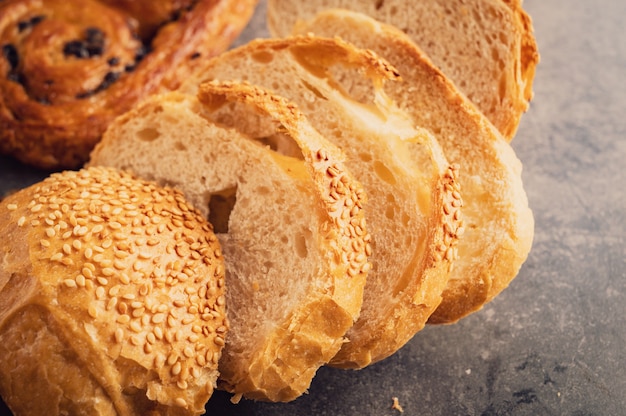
554,342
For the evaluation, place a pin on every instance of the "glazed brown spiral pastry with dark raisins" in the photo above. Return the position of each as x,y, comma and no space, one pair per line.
70,67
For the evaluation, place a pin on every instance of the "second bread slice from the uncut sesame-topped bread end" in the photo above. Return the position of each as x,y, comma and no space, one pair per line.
408,180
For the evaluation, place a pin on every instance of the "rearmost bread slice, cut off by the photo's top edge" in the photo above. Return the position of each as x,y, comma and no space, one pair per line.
486,47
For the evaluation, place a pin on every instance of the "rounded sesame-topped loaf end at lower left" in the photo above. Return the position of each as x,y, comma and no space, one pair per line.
111,298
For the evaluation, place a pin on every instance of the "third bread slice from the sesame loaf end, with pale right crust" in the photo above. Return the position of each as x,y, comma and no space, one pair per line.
499,225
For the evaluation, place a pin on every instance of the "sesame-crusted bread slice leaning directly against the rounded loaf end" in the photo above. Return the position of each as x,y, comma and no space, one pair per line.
286,211
